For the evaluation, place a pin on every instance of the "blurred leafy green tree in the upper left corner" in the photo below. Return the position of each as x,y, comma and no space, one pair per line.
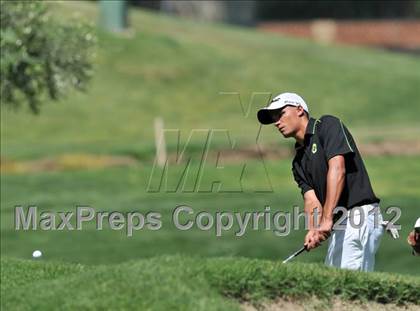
41,58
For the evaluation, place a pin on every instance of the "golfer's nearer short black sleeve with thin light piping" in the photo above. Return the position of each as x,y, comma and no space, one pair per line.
335,138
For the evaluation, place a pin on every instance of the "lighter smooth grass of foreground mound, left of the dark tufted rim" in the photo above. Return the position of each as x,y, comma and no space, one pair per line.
159,284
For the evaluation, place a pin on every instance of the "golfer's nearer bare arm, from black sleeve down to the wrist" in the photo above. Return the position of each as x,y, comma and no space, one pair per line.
335,185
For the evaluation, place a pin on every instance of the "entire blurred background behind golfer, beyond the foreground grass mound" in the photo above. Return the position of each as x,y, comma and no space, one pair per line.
84,102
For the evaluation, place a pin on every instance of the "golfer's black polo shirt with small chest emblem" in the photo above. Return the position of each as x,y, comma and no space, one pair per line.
324,139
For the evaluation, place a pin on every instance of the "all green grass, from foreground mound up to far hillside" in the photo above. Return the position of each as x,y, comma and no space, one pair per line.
176,69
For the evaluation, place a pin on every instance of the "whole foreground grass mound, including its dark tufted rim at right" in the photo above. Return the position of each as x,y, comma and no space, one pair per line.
180,283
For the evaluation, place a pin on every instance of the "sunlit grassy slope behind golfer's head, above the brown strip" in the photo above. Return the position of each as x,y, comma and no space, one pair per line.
177,69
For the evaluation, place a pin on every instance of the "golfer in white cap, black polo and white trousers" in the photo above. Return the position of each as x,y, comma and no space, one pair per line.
330,172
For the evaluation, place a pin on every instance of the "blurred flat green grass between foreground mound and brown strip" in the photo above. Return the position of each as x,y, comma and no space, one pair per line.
124,190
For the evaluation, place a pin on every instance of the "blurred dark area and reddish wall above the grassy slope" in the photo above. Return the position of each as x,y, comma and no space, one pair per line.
387,24
